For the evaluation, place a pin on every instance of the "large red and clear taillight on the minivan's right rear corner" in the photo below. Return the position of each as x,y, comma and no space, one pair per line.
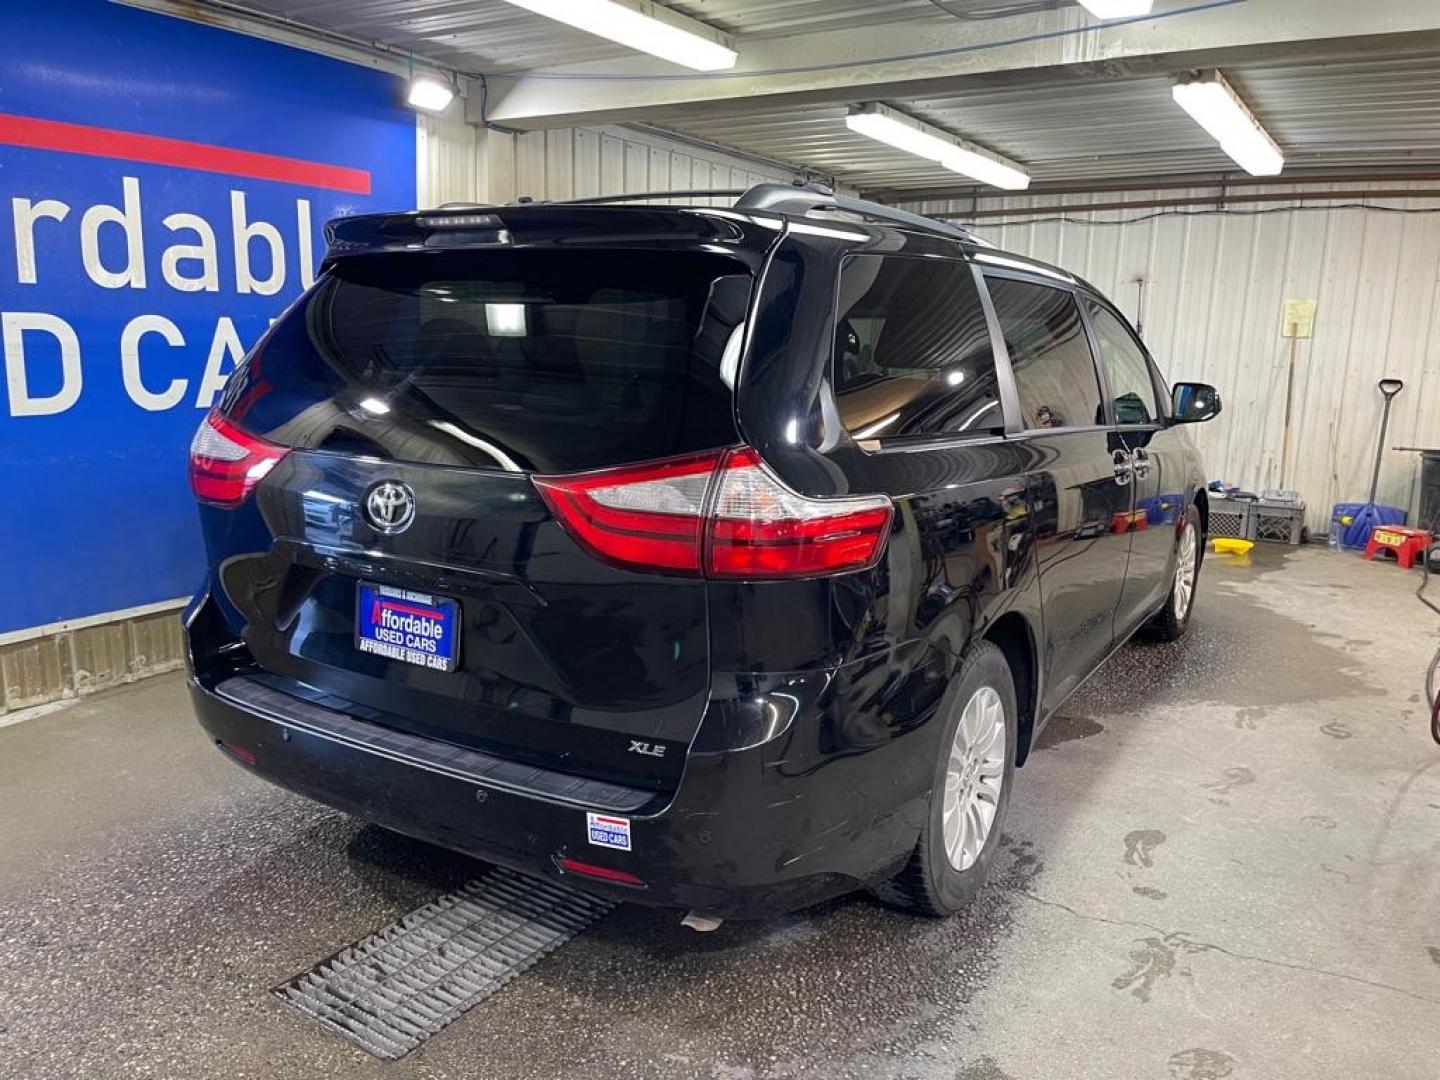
722,515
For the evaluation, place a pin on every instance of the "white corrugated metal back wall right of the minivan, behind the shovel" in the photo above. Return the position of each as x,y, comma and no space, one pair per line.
1215,287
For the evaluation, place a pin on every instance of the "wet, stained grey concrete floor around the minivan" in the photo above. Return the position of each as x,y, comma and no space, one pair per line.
1226,862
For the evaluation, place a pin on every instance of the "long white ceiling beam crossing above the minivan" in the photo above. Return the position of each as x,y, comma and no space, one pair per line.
930,58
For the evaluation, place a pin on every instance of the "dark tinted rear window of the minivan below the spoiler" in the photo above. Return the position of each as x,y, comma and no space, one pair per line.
512,359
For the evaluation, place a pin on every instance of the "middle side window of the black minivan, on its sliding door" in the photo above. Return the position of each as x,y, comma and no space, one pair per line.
1055,371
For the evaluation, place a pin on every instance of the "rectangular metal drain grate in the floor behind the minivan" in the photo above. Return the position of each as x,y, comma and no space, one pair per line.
397,989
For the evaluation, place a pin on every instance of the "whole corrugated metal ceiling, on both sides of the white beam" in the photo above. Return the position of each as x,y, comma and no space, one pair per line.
1353,114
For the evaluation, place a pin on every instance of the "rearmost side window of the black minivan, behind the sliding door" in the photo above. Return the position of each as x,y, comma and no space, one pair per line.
912,351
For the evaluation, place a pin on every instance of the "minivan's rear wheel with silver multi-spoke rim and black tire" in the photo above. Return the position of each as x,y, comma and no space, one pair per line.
932,882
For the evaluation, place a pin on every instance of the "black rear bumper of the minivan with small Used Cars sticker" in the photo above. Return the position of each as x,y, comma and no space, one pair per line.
747,834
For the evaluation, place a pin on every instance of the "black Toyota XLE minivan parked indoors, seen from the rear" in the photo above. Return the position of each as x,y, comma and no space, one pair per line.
722,559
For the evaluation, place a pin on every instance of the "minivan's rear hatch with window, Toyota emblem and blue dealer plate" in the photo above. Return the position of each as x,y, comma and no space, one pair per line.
410,568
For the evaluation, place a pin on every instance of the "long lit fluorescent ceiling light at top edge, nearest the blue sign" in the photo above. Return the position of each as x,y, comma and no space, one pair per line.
644,27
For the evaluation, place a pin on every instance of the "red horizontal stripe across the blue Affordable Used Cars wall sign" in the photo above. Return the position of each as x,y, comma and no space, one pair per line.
127,146
